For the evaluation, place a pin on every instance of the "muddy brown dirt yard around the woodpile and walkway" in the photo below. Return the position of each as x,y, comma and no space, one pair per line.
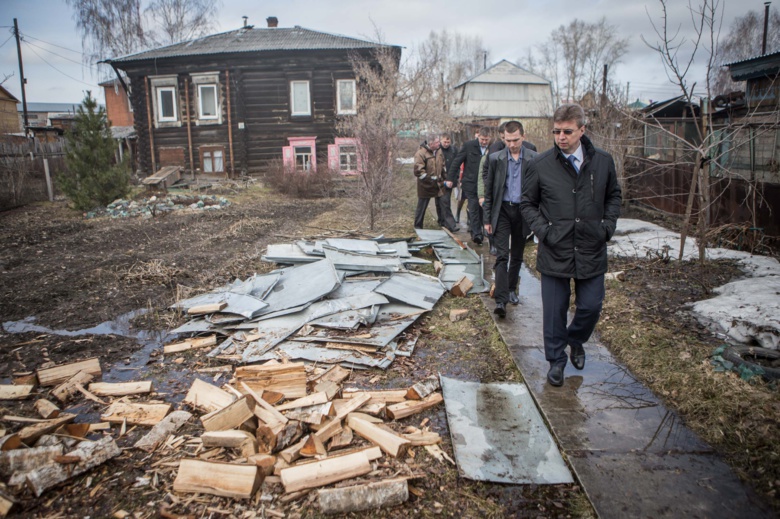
62,273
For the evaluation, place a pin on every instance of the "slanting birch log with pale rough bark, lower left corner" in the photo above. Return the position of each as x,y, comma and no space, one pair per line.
91,455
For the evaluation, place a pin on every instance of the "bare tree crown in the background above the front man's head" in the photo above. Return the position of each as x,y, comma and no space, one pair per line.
574,55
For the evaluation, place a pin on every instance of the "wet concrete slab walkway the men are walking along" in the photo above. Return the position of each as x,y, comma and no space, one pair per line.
632,456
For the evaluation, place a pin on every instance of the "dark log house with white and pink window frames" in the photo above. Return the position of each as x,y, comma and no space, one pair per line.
228,103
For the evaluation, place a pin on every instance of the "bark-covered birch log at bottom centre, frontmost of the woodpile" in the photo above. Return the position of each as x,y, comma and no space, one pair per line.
369,496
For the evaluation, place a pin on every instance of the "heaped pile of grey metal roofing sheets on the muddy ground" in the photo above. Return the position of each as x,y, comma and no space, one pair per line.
342,301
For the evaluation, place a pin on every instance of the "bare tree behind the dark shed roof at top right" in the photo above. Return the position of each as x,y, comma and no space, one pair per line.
742,42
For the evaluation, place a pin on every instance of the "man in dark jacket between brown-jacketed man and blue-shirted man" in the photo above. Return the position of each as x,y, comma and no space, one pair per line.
470,155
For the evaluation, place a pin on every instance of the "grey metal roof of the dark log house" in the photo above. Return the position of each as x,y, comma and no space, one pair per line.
248,39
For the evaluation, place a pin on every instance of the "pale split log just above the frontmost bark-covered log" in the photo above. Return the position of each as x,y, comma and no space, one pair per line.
324,472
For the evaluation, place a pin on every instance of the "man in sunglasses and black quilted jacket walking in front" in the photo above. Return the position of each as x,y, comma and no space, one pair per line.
571,200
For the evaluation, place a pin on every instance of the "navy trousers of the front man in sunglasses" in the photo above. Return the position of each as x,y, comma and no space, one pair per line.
589,296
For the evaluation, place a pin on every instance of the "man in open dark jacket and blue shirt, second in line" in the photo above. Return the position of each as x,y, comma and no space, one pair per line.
503,191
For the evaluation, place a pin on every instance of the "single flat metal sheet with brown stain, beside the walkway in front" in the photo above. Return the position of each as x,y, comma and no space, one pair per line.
498,434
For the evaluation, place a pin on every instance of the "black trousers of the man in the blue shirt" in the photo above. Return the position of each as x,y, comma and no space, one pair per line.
509,232
